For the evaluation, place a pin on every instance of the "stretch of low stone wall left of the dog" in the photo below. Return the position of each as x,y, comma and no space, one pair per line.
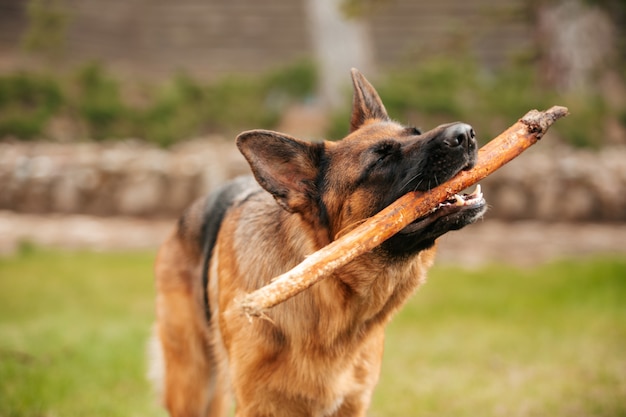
112,179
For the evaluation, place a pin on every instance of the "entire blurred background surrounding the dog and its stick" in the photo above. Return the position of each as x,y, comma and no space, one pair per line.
115,115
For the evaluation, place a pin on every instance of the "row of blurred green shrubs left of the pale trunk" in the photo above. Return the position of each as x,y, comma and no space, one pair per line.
178,109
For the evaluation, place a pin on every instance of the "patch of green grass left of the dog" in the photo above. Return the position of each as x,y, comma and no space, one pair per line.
73,332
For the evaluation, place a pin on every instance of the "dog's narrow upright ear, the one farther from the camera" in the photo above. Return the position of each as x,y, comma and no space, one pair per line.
366,103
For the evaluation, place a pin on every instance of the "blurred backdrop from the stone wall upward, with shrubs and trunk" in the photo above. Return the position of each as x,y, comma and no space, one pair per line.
131,107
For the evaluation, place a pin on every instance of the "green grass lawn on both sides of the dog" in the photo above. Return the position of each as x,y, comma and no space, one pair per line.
498,341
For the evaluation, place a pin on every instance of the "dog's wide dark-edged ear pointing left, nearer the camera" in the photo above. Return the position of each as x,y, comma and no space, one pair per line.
286,167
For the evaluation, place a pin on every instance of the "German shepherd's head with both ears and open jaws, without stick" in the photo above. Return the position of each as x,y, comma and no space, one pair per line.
336,185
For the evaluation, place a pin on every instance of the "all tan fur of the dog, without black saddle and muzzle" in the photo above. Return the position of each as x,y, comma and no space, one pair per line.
319,354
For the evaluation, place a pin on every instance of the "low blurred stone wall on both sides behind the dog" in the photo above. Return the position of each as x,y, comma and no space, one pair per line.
139,180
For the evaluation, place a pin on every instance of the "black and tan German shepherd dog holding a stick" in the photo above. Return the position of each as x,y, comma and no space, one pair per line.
320,352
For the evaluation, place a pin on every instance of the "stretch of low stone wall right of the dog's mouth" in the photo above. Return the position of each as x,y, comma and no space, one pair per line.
560,184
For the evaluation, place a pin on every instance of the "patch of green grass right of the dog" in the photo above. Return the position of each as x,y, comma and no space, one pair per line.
502,341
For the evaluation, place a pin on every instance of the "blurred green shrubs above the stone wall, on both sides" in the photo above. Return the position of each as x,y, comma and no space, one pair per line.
437,91
